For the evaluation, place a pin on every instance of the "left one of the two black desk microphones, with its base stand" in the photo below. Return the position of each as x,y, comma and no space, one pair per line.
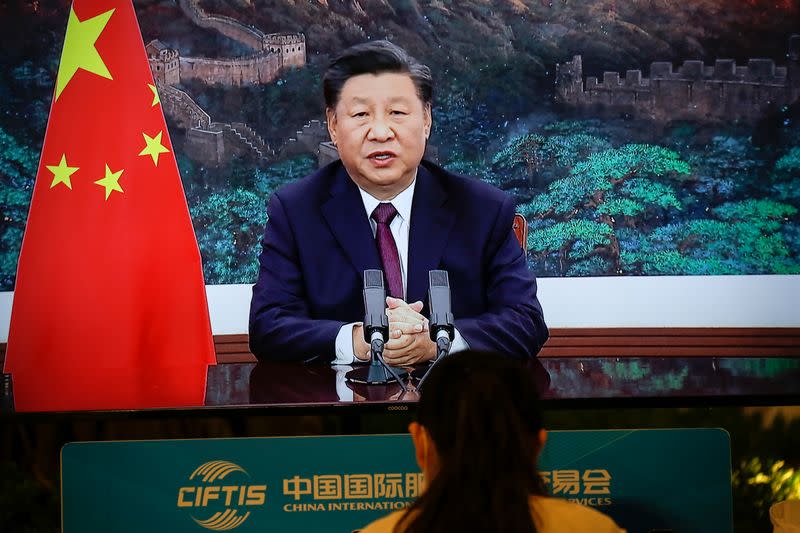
376,334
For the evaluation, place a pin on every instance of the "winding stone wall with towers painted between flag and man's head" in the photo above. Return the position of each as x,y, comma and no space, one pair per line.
215,143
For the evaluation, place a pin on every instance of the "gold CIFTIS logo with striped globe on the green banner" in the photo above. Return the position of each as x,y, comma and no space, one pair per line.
221,496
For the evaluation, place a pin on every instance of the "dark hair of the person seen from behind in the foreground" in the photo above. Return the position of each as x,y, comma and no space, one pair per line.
481,411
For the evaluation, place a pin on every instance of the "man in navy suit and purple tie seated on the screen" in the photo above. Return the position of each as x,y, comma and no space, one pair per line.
382,207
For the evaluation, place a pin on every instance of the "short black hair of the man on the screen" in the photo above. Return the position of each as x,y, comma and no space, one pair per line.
375,57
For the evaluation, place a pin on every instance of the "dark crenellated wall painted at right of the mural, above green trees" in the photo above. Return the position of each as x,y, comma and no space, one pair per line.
695,91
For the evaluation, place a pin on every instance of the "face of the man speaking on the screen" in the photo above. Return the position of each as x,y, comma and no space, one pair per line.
380,126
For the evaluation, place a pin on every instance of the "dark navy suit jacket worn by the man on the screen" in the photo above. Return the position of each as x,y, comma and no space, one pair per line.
318,242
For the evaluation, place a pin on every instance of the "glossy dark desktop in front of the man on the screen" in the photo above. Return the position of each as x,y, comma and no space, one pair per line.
634,381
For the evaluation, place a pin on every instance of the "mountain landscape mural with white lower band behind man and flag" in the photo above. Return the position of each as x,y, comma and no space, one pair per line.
652,146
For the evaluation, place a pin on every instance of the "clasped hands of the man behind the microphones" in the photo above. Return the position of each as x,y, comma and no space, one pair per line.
409,340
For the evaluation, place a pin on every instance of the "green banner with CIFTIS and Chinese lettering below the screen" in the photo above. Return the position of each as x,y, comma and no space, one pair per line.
645,479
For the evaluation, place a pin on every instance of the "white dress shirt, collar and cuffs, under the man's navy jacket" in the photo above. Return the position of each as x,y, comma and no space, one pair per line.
399,227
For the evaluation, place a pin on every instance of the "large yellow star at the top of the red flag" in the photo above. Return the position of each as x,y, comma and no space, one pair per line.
79,50
